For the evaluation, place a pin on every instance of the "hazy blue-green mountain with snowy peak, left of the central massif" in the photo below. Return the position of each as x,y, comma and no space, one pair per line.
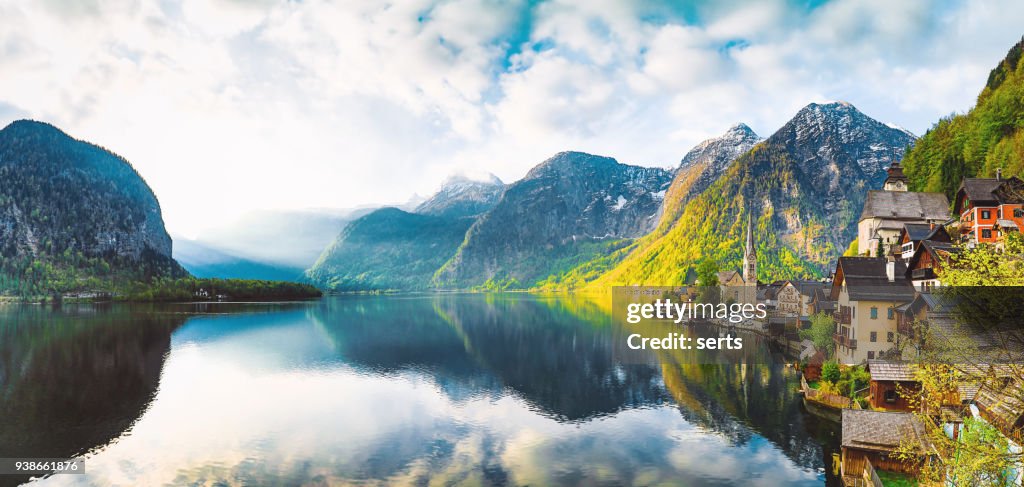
394,249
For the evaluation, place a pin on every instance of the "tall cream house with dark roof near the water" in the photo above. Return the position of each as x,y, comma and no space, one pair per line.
868,290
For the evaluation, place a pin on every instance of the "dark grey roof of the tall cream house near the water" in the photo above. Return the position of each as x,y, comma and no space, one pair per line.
867,280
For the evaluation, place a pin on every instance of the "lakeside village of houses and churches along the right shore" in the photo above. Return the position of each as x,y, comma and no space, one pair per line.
880,304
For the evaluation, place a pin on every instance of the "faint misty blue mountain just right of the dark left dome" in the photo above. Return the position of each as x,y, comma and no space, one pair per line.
205,261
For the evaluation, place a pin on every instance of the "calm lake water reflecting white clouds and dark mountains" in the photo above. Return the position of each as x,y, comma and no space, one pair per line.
451,389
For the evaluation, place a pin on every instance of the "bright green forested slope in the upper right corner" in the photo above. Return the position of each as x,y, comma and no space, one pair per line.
991,137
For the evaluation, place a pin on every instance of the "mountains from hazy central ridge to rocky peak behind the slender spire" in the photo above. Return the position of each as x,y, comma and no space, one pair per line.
578,219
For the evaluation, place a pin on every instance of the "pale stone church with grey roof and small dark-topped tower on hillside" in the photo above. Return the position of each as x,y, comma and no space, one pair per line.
888,210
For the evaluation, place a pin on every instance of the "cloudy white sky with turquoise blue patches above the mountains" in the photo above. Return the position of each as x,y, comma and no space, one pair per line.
228,106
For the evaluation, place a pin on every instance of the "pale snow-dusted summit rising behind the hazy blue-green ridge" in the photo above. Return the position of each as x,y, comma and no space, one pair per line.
462,197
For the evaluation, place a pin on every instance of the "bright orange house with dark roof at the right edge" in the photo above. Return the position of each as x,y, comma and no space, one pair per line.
983,203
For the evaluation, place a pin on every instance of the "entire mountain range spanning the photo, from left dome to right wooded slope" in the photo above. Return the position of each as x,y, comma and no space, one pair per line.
75,214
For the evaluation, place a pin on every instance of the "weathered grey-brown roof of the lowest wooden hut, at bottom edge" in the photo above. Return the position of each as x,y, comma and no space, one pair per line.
881,431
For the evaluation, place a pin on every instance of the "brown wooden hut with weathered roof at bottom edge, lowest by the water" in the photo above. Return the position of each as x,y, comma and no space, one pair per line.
871,438
